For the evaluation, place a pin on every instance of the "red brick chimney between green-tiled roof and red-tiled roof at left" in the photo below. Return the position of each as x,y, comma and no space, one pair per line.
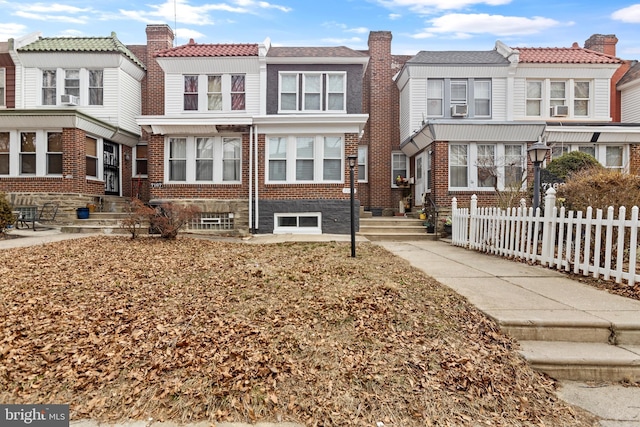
159,37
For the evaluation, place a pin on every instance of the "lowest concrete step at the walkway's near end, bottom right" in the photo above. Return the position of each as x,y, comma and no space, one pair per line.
577,361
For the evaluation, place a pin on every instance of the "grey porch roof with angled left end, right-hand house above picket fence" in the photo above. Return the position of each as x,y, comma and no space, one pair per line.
454,130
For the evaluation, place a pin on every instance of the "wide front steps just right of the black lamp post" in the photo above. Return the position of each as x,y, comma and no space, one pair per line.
396,228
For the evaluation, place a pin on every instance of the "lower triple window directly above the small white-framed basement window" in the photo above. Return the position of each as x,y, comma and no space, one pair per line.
317,158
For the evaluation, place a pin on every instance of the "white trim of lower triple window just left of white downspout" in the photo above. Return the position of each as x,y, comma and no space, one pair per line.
191,161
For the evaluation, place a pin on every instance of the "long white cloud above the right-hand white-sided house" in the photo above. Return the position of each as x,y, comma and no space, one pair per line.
463,25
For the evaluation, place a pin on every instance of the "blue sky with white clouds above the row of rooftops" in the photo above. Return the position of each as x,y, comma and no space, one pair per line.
415,24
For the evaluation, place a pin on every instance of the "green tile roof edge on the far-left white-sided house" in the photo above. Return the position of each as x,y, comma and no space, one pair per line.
81,44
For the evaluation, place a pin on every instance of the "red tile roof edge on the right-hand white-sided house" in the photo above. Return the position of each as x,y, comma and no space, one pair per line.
564,55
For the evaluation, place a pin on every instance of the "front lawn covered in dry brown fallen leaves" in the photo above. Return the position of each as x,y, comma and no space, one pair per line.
194,329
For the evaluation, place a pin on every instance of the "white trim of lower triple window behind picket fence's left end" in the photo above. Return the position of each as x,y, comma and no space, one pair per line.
472,166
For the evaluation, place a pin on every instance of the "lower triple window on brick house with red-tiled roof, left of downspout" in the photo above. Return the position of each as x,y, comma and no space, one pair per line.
210,160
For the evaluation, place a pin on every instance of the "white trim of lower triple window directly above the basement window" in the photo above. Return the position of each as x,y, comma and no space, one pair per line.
291,157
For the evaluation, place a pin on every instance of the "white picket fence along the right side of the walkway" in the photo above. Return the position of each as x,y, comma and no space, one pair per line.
580,242
